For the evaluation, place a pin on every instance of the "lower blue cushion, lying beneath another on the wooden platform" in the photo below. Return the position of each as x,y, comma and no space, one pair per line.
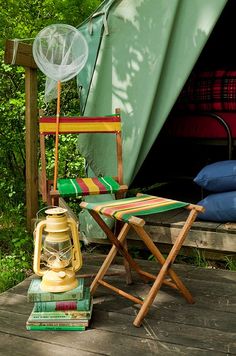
219,207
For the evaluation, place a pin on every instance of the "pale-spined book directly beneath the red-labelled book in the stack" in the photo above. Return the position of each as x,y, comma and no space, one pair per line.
61,314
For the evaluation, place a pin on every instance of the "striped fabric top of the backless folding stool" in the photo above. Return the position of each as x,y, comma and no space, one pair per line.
124,209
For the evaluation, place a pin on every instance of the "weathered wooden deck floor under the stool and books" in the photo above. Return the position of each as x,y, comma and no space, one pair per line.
172,327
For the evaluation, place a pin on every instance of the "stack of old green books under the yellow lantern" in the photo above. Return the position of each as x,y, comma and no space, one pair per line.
69,310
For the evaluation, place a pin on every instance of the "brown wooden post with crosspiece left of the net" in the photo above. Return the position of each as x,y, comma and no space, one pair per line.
23,56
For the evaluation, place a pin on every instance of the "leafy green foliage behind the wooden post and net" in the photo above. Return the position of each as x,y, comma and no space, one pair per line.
23,20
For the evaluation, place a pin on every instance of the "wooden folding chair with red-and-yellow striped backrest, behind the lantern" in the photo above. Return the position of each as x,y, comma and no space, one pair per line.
76,187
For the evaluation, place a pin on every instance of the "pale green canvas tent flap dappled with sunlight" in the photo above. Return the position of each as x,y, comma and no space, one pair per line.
140,54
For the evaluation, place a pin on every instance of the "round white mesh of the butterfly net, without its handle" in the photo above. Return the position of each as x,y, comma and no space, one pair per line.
60,51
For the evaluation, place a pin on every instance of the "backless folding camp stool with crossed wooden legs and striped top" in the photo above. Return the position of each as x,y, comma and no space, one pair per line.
127,210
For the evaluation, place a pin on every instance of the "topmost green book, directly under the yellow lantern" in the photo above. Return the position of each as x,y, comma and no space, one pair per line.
36,294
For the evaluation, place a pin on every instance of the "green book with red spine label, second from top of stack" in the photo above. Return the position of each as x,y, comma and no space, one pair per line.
80,305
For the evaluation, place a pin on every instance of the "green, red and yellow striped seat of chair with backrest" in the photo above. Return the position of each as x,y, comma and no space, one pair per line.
87,186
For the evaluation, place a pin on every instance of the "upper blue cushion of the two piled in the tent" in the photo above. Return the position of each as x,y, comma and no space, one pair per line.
218,177
